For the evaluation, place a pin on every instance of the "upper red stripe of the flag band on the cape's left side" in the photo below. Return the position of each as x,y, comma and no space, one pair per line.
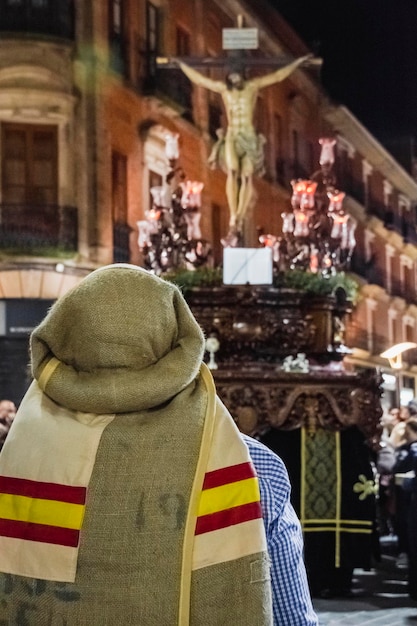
46,491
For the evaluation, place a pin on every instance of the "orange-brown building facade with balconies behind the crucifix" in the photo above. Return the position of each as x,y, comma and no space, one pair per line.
85,110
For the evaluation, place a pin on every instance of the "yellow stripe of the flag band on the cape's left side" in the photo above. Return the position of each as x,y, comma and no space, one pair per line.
47,512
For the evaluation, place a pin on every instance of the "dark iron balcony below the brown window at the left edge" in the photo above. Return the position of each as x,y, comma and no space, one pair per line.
38,230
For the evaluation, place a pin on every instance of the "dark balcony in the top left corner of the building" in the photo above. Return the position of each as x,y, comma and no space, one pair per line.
46,17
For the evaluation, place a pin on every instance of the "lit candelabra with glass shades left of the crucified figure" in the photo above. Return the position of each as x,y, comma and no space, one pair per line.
170,236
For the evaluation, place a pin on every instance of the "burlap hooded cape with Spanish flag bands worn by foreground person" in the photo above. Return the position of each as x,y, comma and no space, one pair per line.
126,492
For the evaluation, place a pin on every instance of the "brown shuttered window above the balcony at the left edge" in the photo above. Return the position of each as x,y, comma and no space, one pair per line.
29,164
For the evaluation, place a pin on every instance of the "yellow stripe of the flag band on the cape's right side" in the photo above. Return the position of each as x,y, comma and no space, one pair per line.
228,496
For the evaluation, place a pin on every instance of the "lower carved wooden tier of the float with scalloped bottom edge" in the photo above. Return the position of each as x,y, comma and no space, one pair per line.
264,399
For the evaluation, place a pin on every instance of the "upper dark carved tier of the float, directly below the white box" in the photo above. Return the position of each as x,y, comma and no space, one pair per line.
267,324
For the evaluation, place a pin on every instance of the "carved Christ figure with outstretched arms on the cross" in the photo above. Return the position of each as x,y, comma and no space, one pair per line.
239,148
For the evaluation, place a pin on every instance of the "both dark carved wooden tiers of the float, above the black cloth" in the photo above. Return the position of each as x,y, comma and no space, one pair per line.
257,328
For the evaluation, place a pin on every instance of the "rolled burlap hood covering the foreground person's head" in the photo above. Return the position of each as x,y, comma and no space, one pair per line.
122,340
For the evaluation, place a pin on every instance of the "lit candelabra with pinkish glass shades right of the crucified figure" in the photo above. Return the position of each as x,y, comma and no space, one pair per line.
317,235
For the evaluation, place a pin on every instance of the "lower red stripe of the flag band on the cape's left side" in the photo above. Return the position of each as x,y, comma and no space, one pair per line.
39,532
